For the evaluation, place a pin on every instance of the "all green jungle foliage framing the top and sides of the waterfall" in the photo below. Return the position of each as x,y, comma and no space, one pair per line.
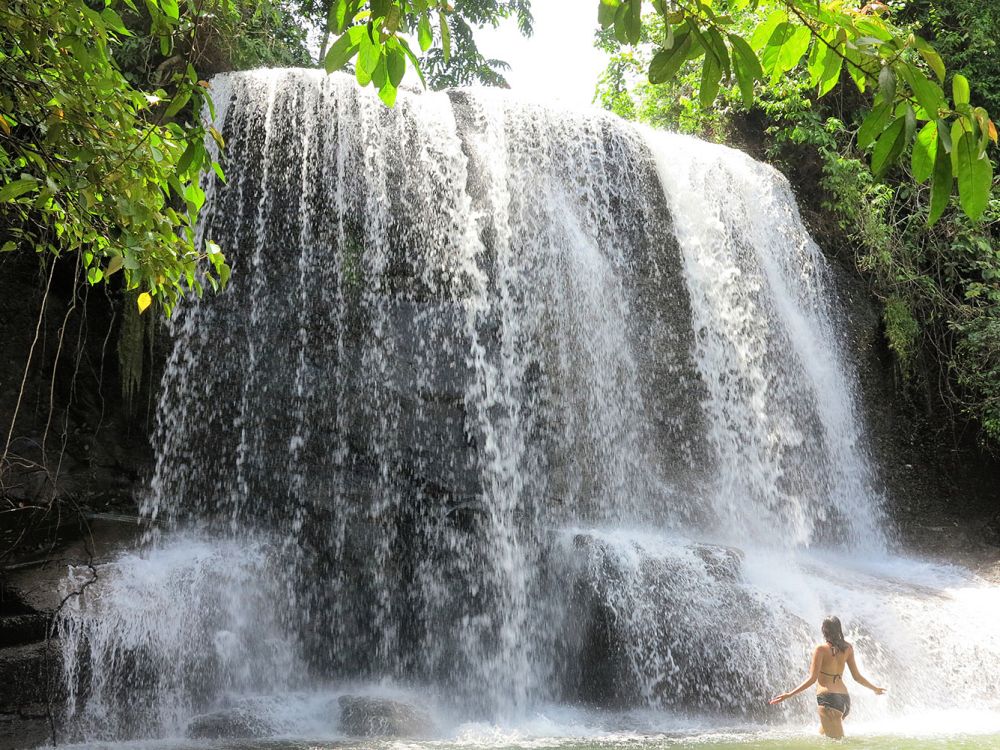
103,132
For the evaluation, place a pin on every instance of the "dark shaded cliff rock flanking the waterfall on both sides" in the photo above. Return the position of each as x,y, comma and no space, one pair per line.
78,448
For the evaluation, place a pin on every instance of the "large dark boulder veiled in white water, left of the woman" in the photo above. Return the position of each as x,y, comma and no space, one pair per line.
667,624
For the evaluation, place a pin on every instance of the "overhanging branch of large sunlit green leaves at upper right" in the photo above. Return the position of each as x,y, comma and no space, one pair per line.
831,39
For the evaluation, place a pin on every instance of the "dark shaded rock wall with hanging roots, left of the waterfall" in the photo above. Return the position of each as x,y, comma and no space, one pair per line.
74,443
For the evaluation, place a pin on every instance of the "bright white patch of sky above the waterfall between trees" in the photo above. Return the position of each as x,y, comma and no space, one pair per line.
559,61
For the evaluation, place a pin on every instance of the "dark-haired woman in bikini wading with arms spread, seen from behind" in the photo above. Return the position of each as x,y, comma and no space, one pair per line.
827,671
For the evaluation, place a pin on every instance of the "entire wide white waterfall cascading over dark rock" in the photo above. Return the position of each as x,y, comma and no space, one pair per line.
517,405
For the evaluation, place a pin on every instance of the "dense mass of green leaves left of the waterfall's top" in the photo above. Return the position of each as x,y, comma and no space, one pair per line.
111,177
